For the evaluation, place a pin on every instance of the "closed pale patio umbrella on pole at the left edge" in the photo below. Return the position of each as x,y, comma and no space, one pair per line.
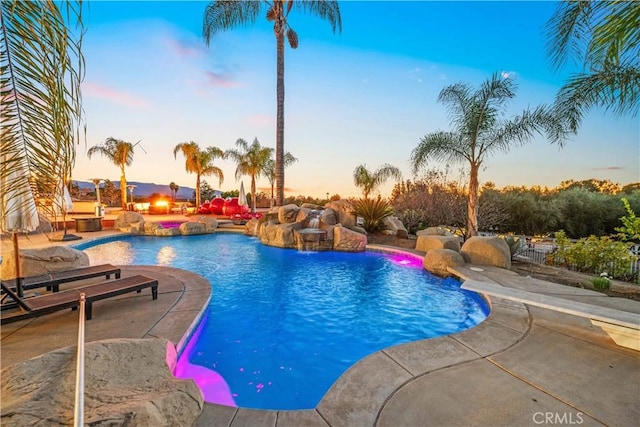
19,213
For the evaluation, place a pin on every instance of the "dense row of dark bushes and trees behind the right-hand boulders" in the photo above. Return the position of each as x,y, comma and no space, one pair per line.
580,208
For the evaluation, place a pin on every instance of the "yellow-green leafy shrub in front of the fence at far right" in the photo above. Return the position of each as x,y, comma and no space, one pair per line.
593,255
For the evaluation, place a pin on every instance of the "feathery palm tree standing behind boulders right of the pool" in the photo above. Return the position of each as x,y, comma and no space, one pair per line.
478,131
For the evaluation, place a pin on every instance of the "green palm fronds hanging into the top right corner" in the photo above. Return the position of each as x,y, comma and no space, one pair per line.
604,37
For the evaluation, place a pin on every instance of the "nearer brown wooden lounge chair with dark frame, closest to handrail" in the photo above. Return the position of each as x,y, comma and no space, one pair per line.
70,298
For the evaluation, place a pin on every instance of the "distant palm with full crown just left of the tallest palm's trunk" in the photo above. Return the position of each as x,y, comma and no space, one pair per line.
251,160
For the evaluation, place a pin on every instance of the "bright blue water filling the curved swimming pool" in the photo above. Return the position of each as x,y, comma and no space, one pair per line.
283,325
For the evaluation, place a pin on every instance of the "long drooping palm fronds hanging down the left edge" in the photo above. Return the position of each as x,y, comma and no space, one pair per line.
41,104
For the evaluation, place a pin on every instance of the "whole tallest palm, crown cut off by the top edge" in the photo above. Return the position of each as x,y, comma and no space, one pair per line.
224,15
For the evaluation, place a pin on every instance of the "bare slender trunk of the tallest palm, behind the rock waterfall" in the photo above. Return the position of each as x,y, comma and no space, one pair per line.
280,118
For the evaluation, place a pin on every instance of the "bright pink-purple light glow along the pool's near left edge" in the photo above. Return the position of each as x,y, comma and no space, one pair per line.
213,386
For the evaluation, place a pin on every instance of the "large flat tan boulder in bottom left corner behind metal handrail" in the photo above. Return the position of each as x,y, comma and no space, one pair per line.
126,382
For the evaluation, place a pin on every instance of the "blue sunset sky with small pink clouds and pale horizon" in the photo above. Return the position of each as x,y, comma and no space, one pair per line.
363,96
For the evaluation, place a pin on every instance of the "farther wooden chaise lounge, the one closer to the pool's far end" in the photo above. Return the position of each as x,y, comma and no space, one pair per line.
53,280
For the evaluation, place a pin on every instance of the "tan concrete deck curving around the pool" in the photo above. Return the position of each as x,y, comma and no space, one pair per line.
524,365
